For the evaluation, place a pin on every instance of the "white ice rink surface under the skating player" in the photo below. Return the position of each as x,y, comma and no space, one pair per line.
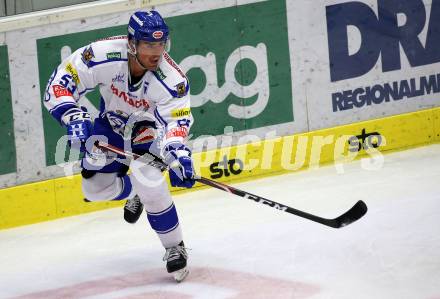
241,249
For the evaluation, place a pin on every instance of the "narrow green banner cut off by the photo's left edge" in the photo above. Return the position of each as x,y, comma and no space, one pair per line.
8,161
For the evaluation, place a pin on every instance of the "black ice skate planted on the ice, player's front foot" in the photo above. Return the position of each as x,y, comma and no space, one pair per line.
176,261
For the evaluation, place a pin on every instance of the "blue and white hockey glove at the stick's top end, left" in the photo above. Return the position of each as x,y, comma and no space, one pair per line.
79,127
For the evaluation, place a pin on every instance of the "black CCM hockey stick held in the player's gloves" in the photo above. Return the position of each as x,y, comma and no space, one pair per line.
353,214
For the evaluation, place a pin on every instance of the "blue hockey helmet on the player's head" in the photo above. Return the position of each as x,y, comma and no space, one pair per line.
147,26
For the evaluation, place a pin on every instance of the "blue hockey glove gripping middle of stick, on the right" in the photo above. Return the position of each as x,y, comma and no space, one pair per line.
181,171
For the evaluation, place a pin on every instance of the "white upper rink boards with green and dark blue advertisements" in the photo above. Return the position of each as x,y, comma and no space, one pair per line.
255,77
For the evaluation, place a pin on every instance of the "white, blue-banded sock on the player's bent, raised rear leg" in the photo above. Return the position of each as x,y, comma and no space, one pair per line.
106,186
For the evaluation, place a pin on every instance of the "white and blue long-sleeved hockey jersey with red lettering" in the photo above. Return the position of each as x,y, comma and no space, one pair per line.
163,94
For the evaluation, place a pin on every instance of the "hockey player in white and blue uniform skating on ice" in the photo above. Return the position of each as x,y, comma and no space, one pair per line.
145,105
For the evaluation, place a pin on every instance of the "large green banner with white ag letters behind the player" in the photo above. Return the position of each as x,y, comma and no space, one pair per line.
237,60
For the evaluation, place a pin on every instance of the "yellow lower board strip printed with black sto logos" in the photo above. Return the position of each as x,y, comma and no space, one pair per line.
62,197
